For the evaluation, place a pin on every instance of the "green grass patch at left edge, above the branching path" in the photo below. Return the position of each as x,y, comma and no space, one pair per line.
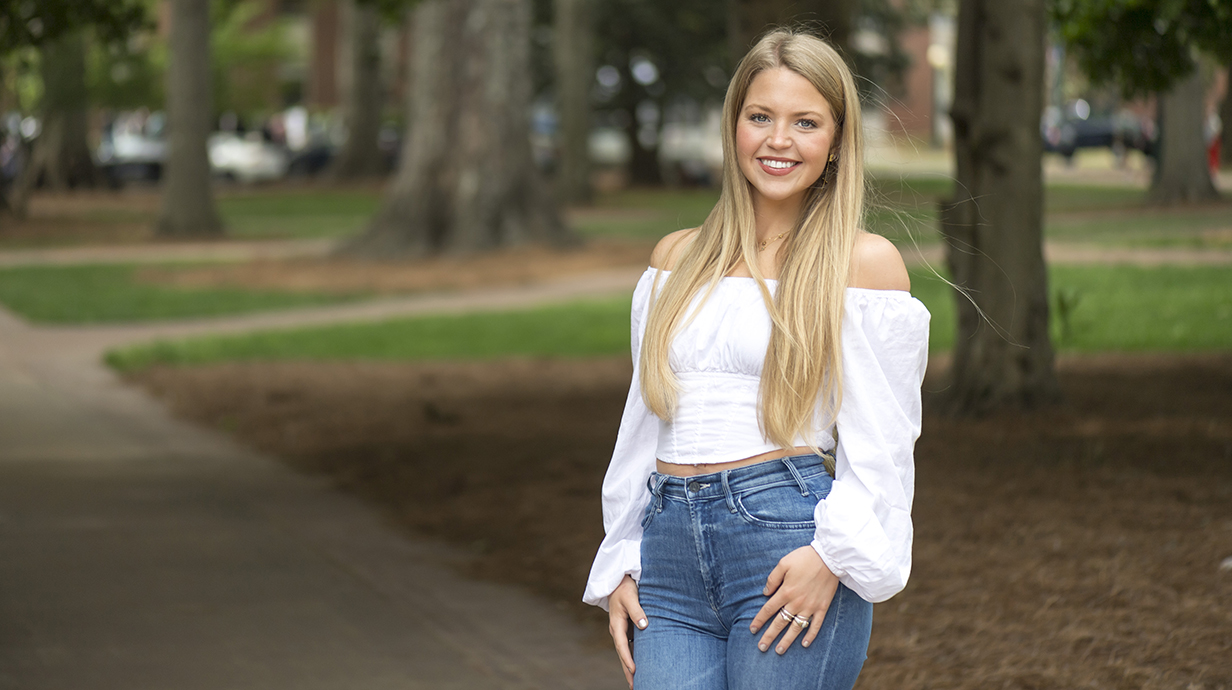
110,294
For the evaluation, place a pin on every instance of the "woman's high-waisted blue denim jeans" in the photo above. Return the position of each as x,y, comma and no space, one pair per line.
708,548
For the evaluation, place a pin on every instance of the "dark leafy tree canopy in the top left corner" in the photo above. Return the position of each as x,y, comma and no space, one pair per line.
31,23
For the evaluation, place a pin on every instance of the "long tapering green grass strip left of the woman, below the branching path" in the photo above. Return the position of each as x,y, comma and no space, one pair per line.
592,328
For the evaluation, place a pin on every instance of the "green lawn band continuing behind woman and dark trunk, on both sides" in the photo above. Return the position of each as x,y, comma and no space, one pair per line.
1114,309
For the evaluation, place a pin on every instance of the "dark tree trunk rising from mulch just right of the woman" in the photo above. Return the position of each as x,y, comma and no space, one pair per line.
1003,355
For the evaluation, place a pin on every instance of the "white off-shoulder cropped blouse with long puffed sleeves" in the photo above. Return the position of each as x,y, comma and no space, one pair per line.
864,527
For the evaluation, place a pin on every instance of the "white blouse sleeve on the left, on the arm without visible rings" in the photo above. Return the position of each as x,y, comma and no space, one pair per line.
625,495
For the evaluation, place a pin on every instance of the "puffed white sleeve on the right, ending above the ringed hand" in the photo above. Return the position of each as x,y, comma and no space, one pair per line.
864,527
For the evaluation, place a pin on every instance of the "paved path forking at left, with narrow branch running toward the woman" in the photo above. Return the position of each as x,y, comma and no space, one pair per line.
140,553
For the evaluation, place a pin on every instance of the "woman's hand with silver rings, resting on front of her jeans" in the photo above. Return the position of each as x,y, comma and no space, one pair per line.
803,586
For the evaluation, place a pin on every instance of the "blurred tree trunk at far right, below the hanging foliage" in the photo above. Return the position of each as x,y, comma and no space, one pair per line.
1182,174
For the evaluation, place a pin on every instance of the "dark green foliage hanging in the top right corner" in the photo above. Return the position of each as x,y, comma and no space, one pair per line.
1144,46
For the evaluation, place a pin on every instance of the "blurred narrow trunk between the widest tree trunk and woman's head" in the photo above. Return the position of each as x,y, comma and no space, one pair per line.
575,77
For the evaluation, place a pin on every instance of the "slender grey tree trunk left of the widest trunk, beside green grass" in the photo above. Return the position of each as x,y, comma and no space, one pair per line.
188,205
